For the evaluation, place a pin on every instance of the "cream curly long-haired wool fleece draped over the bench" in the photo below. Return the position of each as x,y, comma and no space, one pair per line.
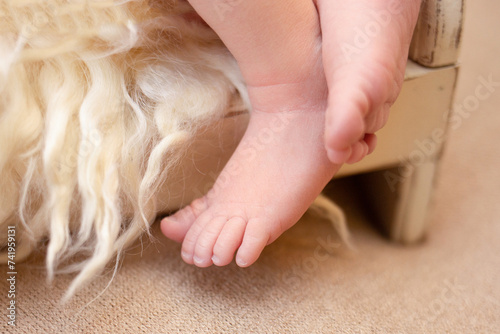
97,100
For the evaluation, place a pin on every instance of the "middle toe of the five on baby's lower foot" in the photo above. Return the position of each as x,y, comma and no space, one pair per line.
203,251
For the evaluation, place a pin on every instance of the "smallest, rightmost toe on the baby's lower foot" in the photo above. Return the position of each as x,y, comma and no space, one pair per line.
254,241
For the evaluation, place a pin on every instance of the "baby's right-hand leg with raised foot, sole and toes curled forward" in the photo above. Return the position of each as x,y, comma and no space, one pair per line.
365,48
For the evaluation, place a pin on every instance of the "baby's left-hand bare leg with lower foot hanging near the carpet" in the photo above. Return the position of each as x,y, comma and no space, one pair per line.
281,165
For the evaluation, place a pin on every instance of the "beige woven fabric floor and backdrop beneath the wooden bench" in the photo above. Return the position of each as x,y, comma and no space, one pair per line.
305,283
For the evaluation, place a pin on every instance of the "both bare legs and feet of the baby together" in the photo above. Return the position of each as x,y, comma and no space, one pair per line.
278,47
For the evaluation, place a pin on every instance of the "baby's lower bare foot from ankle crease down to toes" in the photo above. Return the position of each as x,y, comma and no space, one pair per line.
276,172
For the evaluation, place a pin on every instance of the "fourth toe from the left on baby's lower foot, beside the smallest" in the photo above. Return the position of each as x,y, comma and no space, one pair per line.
228,241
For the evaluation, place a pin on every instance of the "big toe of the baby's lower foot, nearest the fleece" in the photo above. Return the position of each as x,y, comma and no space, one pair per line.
176,226
